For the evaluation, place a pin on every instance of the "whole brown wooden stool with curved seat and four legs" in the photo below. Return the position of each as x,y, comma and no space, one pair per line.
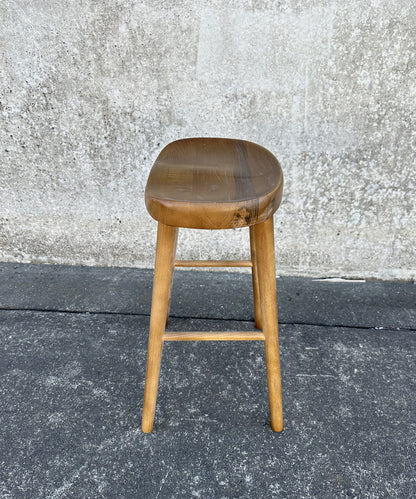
208,183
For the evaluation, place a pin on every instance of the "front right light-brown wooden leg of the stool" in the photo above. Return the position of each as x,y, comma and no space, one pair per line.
264,239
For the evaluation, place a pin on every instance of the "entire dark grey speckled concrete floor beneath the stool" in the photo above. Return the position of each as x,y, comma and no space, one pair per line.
72,363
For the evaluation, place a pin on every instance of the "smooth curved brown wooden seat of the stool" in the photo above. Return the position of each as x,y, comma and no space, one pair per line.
213,183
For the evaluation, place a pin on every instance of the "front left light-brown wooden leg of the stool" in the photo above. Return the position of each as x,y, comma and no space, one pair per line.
162,282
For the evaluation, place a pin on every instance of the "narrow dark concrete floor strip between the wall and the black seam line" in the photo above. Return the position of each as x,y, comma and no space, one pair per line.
208,295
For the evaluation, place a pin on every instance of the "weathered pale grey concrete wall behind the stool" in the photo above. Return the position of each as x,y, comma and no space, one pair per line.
91,90
